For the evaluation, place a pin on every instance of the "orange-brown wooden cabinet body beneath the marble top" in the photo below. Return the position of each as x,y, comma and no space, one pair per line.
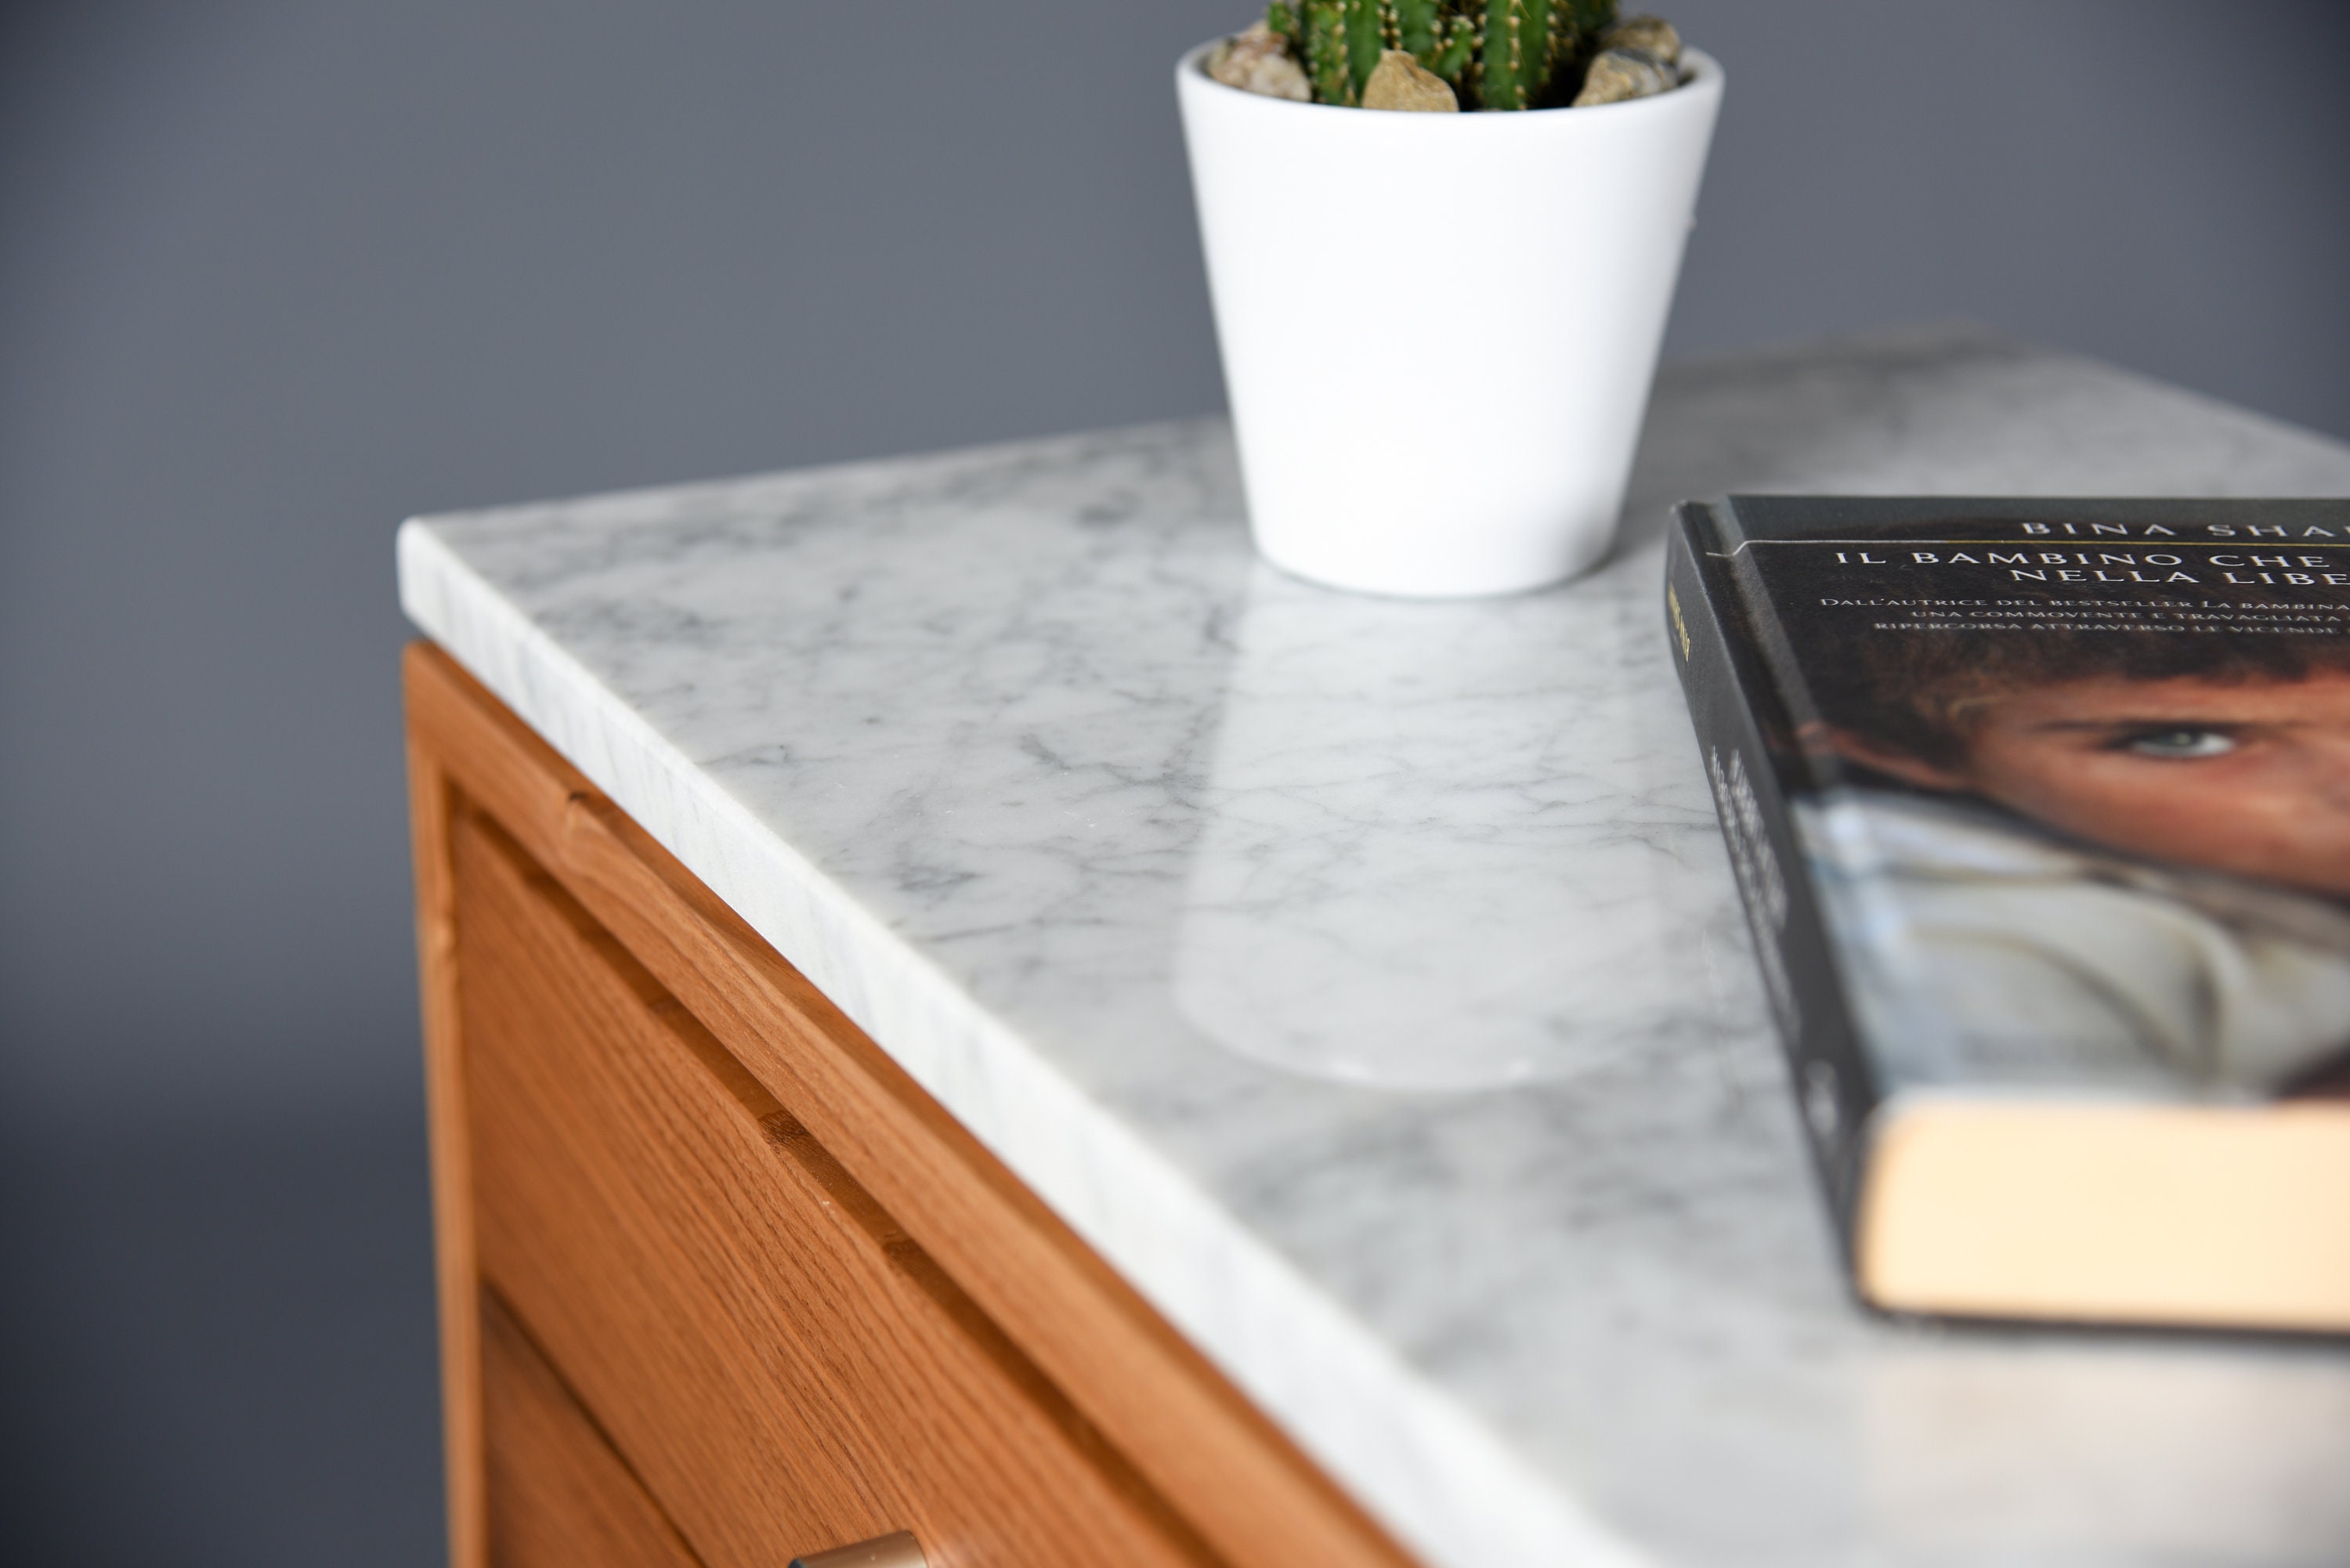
720,1285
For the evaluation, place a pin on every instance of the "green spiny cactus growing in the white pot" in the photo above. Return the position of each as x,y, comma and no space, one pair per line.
1493,53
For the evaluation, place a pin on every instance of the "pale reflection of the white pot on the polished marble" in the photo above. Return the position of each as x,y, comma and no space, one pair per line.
1432,847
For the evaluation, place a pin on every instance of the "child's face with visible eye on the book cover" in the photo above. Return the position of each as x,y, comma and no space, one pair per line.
2248,779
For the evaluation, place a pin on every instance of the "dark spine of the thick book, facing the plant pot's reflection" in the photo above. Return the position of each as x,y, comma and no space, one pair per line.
1738,711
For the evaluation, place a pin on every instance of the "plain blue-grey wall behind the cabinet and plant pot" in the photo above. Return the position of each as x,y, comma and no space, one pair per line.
274,276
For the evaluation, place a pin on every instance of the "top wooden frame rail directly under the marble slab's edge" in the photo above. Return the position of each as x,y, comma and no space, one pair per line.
1127,1376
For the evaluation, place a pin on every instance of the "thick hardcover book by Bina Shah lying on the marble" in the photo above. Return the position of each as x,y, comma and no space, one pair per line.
2041,817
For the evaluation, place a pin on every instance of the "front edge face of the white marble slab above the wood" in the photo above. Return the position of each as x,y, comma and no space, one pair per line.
1416,1459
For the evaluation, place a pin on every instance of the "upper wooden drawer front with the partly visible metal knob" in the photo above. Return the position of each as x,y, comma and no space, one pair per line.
758,1339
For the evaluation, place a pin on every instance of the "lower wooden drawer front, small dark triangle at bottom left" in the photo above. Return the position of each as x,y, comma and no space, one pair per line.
558,1492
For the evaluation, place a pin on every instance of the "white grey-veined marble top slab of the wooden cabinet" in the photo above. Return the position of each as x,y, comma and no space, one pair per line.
1364,979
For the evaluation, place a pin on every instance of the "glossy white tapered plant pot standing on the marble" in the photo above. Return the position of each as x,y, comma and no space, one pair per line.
1439,330
